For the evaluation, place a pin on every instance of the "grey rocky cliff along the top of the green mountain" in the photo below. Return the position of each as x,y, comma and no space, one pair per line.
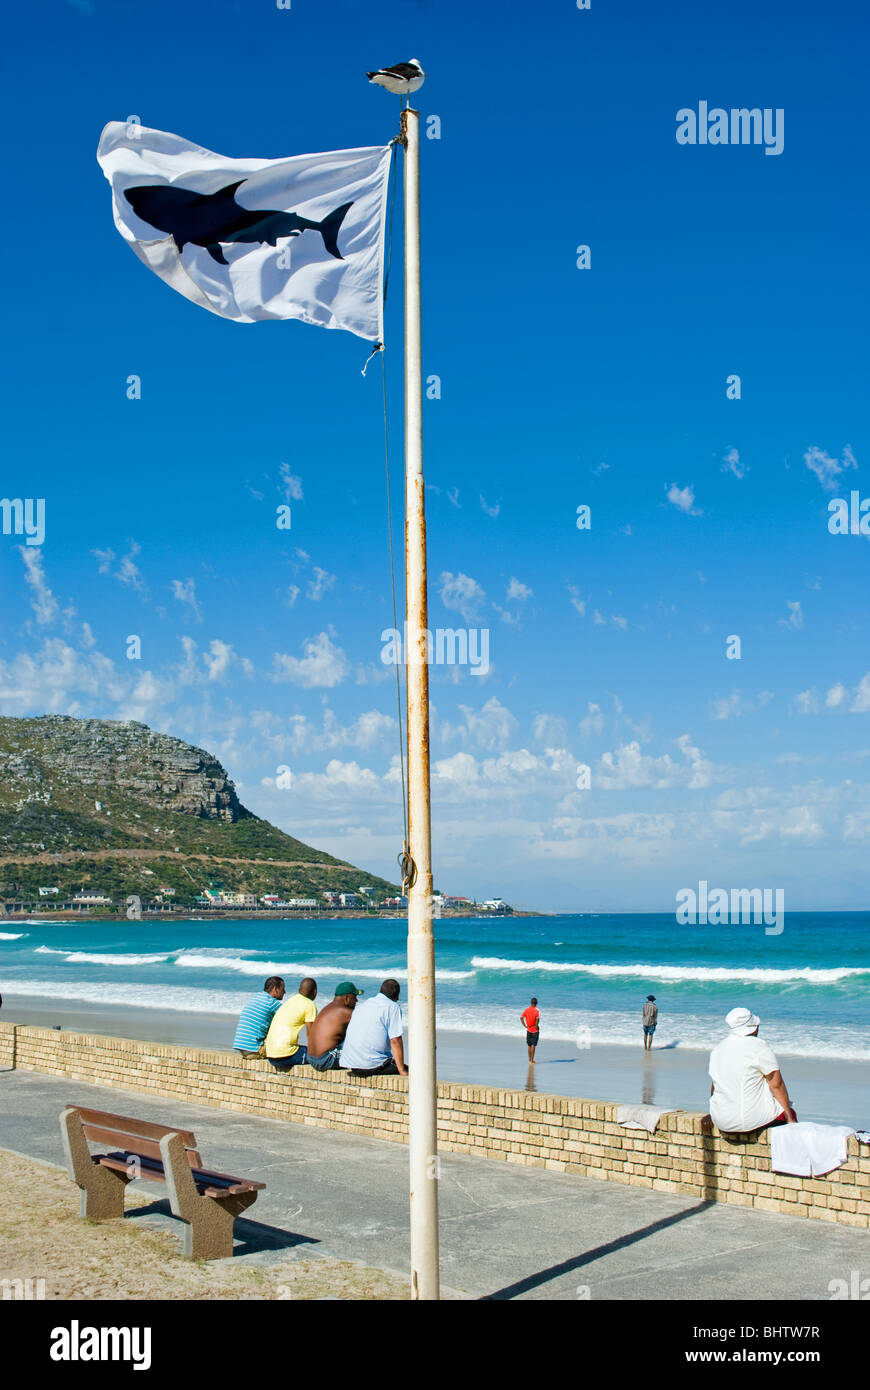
41,757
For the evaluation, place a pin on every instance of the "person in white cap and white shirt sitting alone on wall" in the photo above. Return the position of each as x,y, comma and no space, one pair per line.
748,1089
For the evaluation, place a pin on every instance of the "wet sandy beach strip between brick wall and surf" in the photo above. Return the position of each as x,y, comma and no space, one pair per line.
823,1089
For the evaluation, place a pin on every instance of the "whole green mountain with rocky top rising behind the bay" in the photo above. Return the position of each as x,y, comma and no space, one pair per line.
116,808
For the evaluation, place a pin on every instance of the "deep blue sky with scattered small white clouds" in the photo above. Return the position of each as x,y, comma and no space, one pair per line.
559,387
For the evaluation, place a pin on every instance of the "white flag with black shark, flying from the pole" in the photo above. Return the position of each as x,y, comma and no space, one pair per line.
252,240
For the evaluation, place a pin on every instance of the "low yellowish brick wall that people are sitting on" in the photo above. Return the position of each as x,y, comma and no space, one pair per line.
571,1136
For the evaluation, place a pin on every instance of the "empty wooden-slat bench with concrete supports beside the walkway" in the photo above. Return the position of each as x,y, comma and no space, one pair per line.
205,1200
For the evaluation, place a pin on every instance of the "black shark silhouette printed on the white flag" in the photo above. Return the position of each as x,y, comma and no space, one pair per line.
213,219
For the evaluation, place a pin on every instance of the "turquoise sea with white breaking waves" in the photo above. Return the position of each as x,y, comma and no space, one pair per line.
591,974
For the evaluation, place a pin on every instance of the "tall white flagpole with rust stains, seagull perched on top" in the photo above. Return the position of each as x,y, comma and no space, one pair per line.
423,1100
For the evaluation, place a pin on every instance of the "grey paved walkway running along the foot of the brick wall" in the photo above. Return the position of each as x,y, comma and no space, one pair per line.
507,1232
